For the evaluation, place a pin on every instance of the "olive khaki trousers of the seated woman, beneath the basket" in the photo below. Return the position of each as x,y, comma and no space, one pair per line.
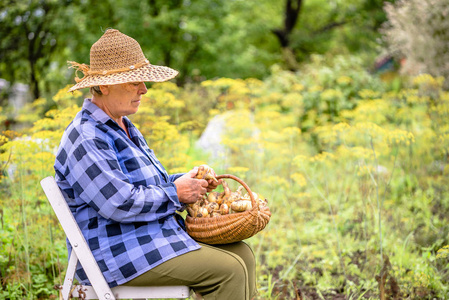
223,272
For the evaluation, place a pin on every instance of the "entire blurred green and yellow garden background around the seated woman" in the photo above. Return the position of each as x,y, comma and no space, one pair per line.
335,110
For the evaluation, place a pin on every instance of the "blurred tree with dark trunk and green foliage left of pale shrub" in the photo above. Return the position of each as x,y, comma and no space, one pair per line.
321,26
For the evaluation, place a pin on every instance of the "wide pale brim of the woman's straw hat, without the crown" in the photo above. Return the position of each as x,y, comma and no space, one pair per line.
148,73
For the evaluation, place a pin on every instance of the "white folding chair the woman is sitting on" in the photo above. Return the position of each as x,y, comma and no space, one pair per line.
81,252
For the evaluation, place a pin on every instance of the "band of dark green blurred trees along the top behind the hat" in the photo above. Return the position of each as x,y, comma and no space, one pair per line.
201,39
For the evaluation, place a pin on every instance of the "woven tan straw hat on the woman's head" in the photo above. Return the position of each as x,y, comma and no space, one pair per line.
117,58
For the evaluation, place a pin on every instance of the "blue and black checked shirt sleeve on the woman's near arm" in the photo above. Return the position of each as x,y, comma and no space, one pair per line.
96,177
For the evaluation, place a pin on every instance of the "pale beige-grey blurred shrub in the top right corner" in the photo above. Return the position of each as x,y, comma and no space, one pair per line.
418,31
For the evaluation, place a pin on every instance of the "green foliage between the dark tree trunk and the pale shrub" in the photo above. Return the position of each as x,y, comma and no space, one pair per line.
337,27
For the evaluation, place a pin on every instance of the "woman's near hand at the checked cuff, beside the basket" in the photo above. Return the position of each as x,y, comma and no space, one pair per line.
189,188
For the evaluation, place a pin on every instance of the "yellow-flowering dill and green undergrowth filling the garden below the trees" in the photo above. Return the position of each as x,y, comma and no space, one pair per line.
355,175
